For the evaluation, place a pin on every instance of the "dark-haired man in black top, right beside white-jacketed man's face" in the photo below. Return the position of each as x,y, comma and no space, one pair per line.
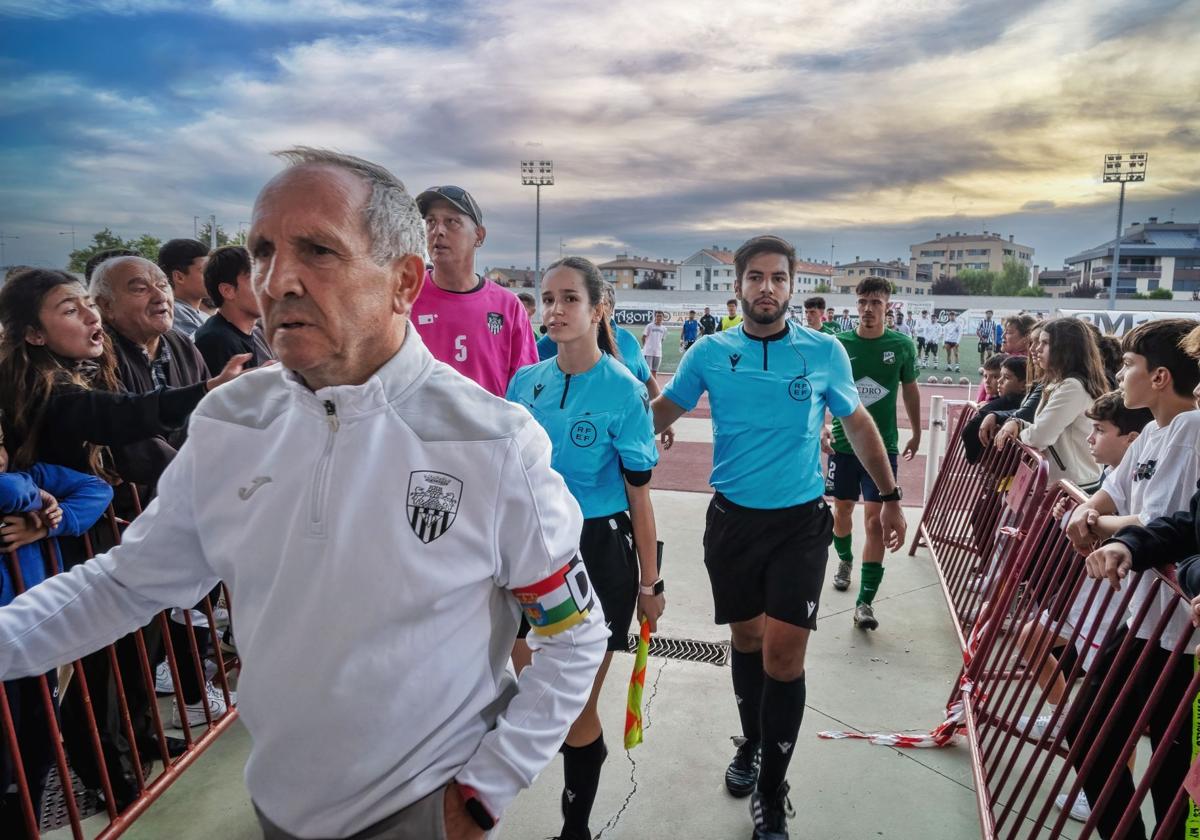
233,329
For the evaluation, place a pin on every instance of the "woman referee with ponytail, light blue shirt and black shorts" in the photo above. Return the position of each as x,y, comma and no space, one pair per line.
603,443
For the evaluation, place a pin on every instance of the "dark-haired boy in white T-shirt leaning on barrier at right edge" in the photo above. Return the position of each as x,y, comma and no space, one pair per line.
1155,478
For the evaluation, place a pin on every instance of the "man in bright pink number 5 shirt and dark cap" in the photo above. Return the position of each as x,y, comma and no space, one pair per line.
472,325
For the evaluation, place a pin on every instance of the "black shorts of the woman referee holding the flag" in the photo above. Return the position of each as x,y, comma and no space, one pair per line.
607,547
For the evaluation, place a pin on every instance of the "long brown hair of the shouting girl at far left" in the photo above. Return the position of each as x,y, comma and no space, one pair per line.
29,374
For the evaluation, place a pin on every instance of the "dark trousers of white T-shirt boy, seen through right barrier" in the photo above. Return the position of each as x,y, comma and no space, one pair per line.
1171,778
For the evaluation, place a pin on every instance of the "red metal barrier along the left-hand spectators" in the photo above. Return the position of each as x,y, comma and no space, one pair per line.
112,730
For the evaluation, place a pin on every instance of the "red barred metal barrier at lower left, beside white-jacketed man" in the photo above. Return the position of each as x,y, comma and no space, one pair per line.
130,665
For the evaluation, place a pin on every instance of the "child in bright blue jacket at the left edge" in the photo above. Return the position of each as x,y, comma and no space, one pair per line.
44,502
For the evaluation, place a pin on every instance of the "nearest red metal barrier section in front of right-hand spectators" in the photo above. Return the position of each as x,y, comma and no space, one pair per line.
1047,620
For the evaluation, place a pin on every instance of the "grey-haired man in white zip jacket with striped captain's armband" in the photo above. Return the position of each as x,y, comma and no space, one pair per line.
380,520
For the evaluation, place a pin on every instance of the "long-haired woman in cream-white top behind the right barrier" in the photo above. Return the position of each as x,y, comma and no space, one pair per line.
1073,376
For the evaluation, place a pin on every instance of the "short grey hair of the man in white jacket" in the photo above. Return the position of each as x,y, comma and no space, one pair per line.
394,225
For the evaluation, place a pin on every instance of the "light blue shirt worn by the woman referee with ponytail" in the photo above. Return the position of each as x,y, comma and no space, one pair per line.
597,422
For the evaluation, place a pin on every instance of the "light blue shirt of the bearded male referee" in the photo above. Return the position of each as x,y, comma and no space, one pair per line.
769,399
